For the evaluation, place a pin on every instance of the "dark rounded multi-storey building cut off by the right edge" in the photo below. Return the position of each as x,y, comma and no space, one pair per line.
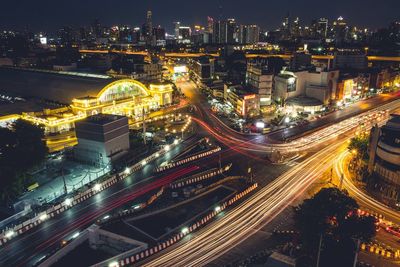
384,161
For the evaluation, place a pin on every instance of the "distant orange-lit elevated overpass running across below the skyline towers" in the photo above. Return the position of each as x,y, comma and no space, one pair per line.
195,55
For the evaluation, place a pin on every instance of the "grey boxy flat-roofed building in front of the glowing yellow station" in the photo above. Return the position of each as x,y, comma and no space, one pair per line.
102,139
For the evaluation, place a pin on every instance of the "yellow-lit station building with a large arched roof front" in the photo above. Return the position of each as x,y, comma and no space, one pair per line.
123,97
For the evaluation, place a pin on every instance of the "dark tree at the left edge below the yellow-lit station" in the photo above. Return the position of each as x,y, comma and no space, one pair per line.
21,148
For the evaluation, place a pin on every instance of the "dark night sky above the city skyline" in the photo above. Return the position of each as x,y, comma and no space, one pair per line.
49,15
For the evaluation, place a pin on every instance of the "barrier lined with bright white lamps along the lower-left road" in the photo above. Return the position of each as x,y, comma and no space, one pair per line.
10,233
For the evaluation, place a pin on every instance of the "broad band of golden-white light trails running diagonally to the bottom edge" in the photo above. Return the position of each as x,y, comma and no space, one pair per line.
244,220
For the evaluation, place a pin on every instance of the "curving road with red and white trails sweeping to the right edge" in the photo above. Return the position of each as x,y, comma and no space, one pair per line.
335,124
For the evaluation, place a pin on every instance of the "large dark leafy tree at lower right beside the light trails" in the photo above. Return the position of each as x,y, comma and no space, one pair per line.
332,215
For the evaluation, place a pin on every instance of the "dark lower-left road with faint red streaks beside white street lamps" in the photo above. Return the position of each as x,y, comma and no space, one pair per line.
24,250
